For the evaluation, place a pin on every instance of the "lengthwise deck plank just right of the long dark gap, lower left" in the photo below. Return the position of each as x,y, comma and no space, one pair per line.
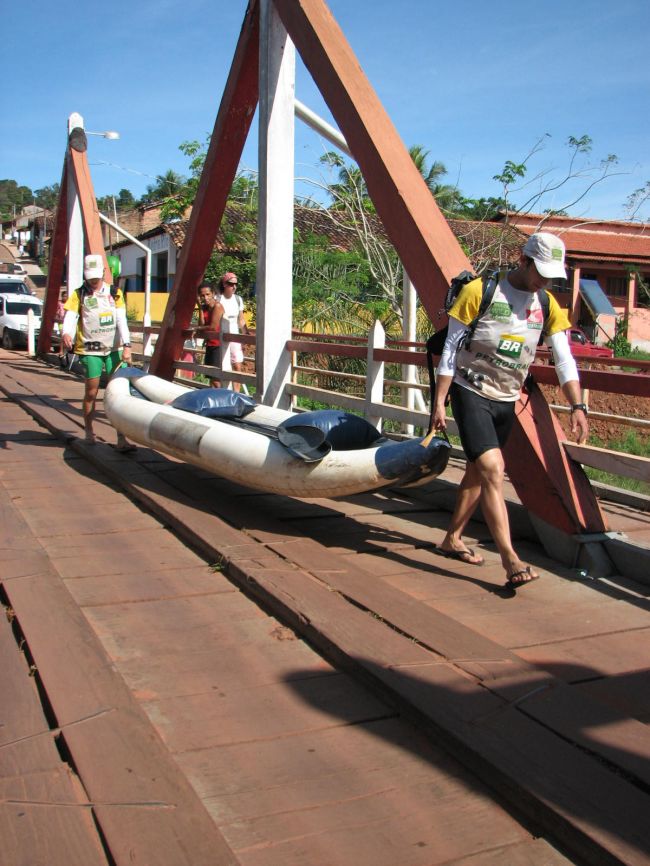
160,818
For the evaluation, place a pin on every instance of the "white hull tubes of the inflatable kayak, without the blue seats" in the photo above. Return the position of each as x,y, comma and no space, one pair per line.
254,459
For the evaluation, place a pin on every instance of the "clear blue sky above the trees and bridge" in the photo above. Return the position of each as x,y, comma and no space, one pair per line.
475,83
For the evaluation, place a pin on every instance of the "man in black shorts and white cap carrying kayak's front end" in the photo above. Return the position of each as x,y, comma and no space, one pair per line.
484,375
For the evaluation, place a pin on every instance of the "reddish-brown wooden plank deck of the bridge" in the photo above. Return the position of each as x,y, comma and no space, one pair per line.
220,676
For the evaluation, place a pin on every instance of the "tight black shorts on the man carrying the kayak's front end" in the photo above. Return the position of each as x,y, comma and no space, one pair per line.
483,424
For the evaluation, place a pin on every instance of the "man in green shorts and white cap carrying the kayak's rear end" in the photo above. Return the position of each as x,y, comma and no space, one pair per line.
95,322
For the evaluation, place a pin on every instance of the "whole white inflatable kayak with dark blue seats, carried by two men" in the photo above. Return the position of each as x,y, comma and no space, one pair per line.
313,454
